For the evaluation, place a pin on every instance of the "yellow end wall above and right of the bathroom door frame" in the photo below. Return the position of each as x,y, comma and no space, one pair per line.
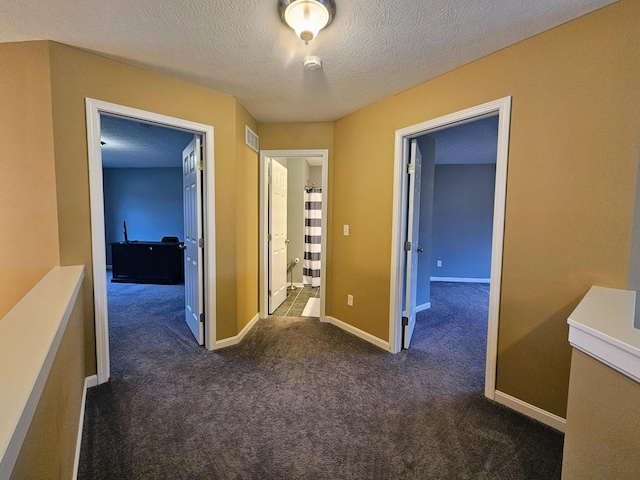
305,136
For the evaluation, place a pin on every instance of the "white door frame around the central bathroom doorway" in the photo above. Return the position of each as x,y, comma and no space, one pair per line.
265,158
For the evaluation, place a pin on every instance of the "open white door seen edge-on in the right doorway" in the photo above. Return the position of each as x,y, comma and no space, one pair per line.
411,247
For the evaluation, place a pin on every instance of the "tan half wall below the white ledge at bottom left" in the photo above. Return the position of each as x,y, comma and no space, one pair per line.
49,448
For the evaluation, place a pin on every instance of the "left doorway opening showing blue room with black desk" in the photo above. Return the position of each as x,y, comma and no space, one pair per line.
144,232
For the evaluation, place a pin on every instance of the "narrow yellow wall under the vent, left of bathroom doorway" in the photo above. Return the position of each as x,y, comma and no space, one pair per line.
246,220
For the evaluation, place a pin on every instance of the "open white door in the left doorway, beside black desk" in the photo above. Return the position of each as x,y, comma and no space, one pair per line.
193,241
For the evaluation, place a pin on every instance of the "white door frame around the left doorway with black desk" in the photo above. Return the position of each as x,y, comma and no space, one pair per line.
94,108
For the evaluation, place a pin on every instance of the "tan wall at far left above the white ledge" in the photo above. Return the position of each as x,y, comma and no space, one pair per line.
28,217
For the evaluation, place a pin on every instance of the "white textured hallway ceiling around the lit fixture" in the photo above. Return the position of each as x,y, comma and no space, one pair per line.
372,50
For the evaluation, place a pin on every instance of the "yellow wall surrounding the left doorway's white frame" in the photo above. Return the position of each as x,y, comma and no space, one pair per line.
76,74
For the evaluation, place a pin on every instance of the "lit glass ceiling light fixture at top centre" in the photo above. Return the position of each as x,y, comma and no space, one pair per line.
307,17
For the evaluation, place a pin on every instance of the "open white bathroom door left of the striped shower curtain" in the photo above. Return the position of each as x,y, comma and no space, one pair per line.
277,236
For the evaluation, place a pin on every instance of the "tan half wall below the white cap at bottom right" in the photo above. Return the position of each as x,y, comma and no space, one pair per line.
603,423
